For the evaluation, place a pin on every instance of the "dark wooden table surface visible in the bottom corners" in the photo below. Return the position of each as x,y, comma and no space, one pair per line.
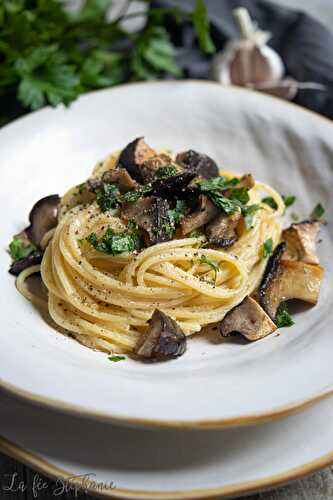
319,486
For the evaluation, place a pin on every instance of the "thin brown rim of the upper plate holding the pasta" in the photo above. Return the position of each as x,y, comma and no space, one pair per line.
249,419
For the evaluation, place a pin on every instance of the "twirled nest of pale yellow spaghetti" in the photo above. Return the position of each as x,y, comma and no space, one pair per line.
105,301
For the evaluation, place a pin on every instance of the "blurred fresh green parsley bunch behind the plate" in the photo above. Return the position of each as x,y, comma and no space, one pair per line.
51,55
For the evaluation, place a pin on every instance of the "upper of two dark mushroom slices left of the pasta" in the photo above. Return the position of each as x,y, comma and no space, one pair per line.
43,217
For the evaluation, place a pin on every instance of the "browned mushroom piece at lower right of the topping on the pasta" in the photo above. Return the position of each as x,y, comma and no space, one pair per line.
222,231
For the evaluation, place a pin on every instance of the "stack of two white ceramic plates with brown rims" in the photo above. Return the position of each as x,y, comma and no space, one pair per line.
182,429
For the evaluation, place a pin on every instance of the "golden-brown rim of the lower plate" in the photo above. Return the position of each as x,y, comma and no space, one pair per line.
52,471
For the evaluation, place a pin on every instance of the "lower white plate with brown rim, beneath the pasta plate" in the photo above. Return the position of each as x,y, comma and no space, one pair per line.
167,464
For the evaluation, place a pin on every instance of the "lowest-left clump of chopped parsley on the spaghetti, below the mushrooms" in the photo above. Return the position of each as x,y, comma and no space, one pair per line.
113,244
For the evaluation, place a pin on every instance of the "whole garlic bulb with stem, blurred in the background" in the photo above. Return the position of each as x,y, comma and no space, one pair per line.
248,60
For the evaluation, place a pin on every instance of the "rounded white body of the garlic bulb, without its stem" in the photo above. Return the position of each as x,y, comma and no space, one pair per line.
243,62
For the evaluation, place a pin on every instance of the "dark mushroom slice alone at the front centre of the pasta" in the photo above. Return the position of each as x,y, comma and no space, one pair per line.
164,338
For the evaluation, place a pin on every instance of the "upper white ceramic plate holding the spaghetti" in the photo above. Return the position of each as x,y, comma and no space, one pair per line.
215,383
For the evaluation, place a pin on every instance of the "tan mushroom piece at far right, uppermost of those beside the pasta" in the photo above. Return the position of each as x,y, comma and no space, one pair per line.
301,241
